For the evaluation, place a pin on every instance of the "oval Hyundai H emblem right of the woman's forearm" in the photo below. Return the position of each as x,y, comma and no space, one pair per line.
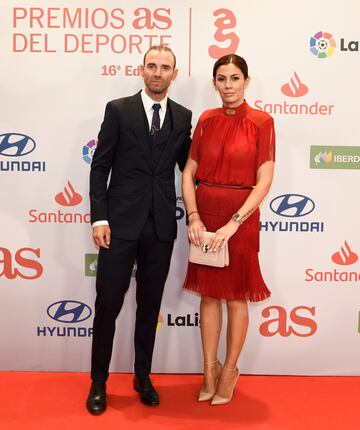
292,205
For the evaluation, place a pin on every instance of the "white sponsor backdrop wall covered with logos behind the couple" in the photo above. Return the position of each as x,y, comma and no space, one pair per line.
61,61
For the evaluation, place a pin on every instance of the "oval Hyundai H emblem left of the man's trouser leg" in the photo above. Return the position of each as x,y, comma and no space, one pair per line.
69,311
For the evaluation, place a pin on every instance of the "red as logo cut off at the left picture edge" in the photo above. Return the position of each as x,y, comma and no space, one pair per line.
24,264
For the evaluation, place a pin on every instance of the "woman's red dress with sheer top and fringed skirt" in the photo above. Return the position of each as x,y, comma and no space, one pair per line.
229,149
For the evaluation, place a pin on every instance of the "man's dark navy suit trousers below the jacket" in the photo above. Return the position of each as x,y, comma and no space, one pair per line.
113,277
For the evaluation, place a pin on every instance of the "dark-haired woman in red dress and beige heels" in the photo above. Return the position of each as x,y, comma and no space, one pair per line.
232,161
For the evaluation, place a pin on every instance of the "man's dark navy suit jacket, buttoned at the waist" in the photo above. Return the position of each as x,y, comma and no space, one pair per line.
136,184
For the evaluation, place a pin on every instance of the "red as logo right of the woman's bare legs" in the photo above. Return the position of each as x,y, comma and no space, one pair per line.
297,322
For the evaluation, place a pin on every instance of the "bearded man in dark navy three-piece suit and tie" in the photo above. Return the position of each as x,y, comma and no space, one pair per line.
141,139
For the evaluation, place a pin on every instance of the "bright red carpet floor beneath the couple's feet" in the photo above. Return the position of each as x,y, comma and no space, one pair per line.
52,401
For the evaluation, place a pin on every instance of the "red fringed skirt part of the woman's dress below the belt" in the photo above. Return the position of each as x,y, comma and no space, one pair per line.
242,279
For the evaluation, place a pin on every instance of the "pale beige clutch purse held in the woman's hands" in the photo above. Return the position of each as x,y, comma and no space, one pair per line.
203,255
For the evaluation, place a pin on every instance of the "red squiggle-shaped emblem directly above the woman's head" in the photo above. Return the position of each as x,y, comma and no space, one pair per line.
225,21
